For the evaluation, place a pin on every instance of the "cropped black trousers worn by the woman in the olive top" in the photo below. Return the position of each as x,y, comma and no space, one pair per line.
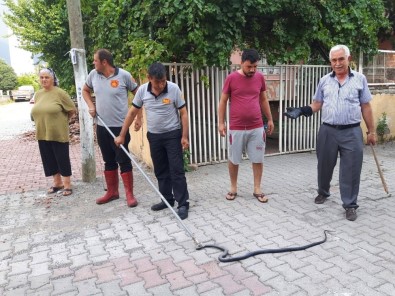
55,157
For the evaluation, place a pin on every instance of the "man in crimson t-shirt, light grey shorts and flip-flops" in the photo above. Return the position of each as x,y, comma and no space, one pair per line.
246,91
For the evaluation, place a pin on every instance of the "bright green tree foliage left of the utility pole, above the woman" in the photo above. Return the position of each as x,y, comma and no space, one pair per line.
42,28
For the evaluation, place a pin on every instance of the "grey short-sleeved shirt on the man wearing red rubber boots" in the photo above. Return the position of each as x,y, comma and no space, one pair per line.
111,95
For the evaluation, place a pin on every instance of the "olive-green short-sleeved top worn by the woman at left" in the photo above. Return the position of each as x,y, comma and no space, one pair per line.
50,114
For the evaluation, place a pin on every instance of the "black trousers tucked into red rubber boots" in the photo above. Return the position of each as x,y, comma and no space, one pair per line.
112,155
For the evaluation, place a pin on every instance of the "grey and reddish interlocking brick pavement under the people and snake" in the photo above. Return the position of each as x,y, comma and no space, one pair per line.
55,245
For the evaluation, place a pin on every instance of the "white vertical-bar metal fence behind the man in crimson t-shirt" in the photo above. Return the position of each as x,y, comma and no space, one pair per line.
287,86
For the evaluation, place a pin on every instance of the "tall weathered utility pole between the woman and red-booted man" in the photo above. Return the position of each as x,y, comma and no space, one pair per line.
78,58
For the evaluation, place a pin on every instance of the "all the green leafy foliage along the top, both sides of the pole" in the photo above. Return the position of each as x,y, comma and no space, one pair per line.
203,32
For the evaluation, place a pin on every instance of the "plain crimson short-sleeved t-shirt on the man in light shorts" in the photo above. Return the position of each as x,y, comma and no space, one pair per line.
244,92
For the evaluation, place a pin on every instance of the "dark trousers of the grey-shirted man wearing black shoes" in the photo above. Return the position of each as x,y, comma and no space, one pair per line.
167,158
